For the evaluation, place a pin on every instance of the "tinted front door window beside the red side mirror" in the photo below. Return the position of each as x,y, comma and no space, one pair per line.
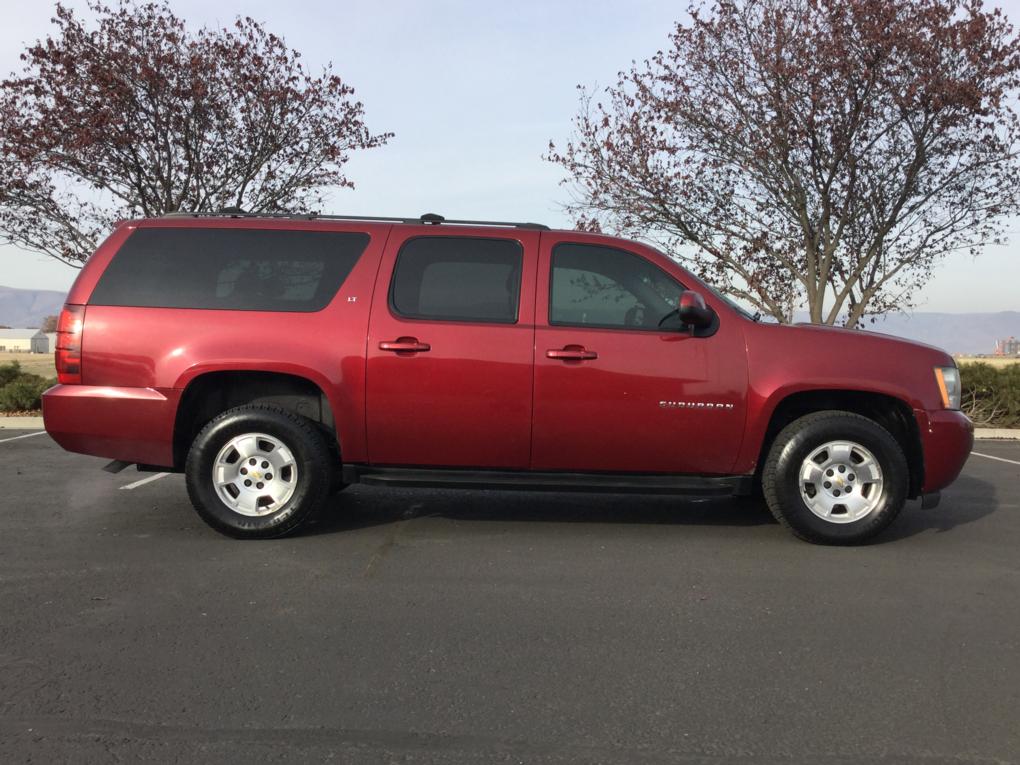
603,287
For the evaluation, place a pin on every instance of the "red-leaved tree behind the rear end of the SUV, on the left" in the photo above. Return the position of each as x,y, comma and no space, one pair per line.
137,116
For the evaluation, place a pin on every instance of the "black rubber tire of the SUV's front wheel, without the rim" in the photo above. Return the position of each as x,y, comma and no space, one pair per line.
782,483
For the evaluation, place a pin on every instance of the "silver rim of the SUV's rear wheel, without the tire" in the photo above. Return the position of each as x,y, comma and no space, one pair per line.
256,475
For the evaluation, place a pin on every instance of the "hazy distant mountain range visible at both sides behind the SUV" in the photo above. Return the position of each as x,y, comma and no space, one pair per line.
956,333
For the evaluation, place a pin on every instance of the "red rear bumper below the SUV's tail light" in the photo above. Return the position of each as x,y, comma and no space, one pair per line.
135,425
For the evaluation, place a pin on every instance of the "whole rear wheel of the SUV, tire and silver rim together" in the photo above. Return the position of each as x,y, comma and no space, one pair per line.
259,472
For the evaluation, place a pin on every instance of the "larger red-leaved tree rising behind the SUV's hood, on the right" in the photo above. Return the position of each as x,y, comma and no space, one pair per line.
820,154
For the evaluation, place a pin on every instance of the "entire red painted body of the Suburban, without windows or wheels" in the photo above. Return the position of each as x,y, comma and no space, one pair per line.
486,395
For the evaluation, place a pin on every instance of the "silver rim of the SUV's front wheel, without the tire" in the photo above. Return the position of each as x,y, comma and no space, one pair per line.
842,482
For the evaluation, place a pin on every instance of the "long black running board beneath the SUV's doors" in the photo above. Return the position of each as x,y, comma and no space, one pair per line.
549,482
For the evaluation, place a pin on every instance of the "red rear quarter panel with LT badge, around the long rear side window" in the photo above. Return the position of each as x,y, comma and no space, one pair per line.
168,348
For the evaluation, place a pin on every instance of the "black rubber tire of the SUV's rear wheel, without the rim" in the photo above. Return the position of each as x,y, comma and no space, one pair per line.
312,454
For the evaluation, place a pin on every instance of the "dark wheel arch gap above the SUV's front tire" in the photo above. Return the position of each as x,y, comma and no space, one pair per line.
892,413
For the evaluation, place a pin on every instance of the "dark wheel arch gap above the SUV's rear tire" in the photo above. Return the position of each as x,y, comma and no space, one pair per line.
210,393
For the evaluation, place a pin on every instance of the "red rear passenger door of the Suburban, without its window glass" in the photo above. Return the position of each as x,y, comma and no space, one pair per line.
468,401
